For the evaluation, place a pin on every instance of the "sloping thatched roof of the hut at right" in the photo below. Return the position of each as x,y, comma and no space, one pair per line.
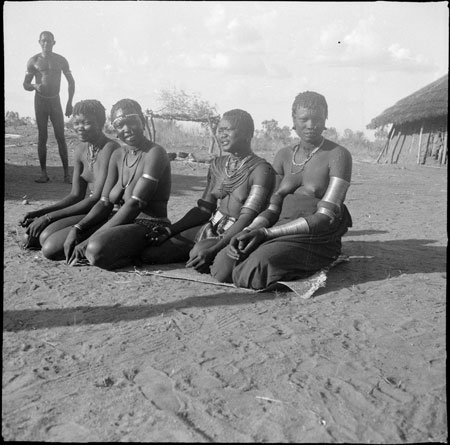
429,102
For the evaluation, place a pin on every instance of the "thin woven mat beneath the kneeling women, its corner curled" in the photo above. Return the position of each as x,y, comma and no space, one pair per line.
304,288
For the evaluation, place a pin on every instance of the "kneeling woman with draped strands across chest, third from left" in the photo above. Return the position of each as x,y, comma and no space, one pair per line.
239,185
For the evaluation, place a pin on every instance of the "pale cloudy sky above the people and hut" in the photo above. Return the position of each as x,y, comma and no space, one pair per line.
257,56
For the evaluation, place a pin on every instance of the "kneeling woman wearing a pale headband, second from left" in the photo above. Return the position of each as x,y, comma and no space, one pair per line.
139,182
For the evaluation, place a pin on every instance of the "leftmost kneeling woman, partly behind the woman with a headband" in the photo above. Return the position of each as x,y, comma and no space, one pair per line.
91,159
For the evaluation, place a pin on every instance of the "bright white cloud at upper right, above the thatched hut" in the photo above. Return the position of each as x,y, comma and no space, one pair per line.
362,47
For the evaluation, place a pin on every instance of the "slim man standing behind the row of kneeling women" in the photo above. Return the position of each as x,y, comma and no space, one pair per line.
46,68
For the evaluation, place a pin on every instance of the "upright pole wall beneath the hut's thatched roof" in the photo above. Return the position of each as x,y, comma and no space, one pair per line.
403,147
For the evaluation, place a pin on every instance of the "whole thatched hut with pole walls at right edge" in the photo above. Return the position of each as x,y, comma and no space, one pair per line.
419,126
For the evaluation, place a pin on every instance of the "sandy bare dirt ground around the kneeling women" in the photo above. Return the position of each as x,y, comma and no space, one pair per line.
92,355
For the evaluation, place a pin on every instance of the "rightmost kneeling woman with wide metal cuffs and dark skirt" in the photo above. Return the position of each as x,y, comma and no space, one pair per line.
301,230
